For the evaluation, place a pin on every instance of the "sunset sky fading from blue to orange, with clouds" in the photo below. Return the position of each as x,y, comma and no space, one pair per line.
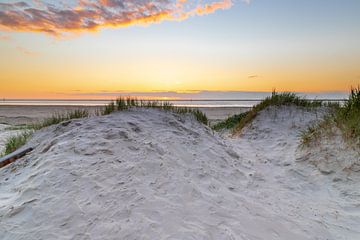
98,48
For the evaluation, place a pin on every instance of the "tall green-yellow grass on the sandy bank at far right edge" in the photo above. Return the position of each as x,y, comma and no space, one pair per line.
346,118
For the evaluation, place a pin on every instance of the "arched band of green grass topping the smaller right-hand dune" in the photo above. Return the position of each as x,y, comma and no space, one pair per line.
276,99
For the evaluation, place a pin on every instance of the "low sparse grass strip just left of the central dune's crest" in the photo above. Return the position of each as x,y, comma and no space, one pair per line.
61,117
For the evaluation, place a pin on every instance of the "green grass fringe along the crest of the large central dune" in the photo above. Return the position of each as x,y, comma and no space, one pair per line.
121,104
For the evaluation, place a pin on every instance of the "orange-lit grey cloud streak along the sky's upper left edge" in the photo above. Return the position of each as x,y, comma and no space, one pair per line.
92,15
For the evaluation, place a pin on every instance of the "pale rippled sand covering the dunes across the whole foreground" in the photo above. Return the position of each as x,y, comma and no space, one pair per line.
148,174
